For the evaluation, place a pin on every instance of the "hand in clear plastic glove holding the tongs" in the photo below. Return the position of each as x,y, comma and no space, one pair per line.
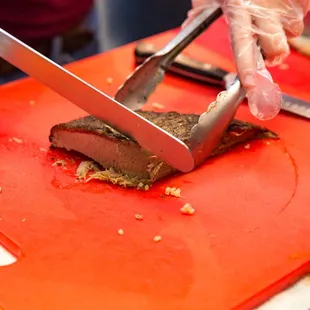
268,23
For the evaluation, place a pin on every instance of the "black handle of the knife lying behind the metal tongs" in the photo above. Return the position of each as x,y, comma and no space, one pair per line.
186,67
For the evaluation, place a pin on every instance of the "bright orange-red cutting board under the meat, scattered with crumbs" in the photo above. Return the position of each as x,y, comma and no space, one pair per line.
248,239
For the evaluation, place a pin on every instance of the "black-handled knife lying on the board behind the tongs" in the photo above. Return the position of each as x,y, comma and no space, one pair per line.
212,75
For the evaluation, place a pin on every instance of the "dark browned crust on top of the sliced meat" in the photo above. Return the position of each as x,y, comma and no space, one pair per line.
179,125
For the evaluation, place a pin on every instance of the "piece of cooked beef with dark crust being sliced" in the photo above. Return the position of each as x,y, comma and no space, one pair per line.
125,161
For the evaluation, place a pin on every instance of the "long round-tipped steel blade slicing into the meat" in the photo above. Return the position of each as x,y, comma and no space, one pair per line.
96,103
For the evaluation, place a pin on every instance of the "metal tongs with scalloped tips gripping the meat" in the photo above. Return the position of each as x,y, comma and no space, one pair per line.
206,135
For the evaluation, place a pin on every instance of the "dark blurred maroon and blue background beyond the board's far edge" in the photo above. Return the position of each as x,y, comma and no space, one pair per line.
68,30
